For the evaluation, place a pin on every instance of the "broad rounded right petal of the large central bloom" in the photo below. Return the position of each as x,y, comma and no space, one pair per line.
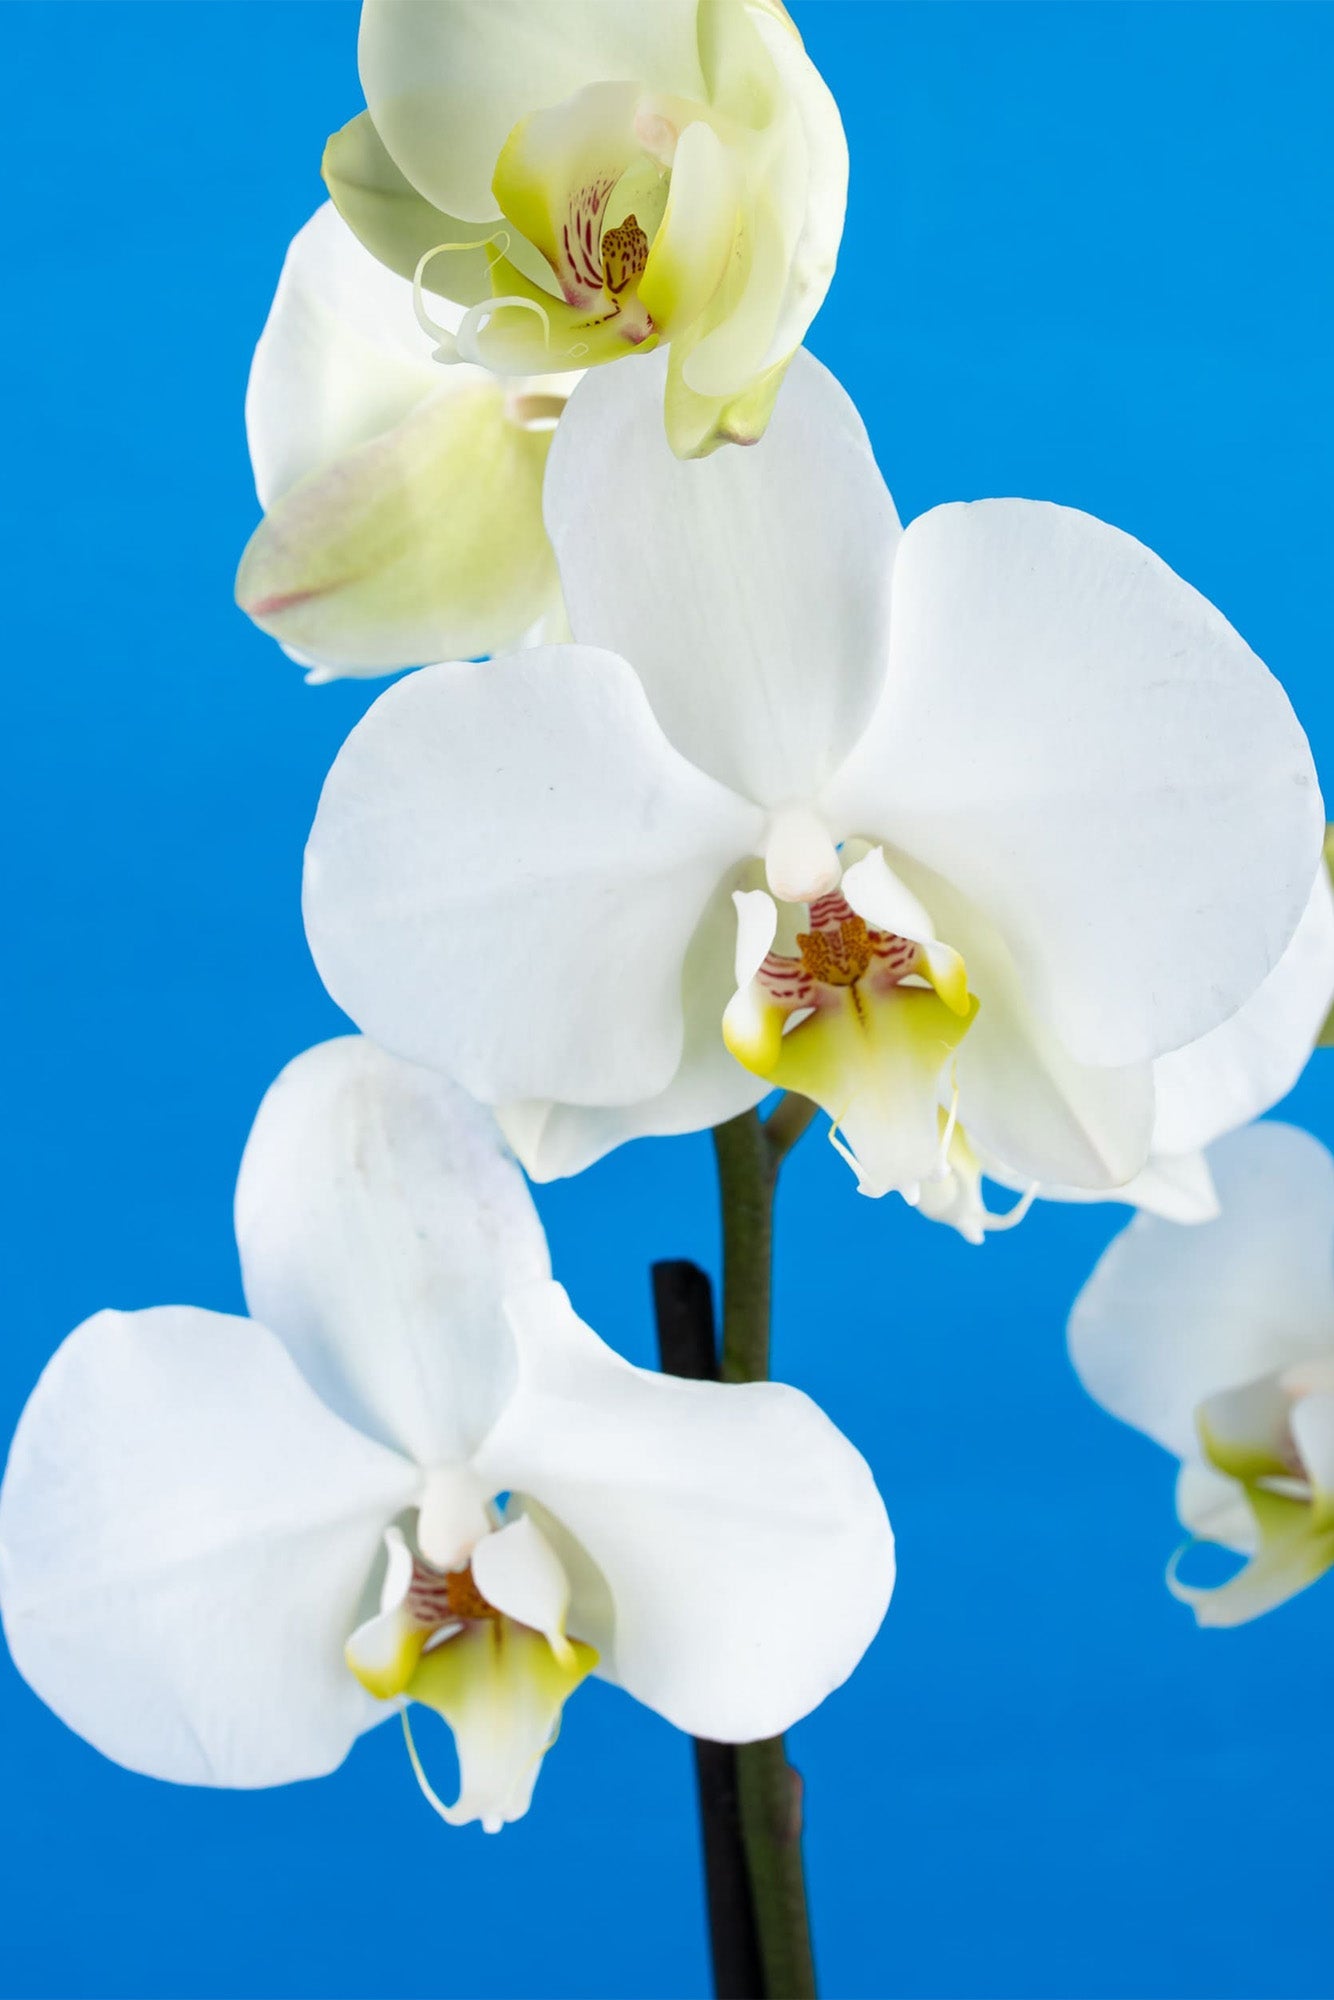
1083,745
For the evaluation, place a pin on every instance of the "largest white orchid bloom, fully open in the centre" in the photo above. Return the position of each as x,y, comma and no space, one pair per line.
1009,813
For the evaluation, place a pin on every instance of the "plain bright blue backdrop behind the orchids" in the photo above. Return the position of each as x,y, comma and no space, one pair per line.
1087,259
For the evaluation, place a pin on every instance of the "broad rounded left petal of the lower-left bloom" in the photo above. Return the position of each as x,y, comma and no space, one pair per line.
185,1539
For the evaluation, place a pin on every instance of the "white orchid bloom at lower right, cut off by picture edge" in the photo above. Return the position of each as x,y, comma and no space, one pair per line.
1219,1343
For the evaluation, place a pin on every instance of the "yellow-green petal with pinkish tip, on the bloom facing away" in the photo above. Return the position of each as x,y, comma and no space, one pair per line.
421,545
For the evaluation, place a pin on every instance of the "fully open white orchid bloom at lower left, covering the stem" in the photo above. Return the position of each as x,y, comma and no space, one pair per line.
233,1545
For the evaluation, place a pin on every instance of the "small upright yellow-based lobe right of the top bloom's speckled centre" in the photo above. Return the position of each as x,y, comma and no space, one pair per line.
697,237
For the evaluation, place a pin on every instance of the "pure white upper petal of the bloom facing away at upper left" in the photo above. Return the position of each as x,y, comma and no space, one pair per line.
341,359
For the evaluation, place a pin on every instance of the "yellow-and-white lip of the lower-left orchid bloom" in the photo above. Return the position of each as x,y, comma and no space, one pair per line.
501,1689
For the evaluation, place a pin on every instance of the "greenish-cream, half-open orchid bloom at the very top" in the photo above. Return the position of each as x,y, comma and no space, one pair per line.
599,179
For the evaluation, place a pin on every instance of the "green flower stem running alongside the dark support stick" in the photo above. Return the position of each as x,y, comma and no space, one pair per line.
771,1793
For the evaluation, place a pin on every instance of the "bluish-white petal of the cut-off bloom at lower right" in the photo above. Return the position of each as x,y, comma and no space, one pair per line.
1173,1317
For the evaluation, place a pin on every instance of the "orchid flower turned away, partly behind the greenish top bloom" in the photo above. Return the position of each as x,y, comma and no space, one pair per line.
403,499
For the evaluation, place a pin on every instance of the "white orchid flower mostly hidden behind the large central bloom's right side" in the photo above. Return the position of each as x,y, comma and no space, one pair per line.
1225,1081
